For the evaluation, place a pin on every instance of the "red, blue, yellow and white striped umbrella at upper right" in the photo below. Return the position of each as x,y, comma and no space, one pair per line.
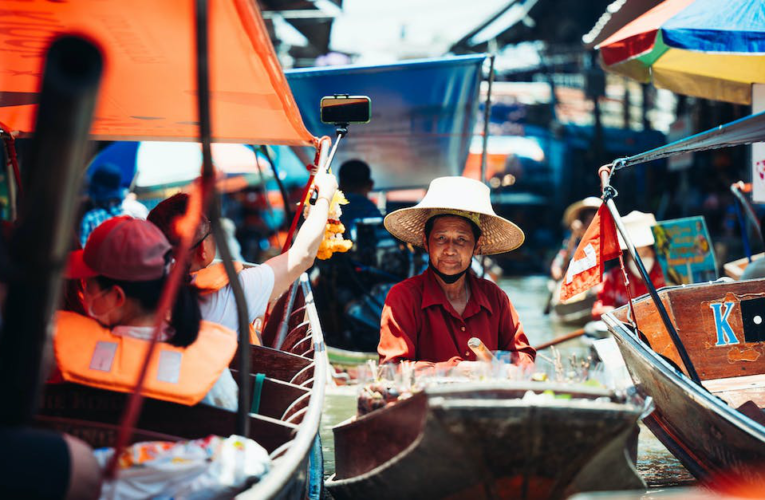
713,49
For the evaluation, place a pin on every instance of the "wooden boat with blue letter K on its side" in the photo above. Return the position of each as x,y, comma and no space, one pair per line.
716,428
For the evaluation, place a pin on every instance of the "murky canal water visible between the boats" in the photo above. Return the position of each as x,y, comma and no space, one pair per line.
529,295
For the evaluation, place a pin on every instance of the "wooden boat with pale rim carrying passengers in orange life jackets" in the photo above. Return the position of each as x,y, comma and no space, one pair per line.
286,422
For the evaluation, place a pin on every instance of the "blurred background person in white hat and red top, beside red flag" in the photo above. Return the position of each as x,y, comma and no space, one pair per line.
614,292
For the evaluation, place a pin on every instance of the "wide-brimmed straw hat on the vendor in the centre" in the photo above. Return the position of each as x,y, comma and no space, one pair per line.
457,196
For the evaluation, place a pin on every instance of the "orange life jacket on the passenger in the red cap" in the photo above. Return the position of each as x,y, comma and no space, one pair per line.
89,354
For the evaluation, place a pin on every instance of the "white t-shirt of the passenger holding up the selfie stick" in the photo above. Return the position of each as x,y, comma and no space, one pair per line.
220,307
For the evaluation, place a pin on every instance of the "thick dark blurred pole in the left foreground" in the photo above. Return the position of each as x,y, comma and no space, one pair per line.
41,244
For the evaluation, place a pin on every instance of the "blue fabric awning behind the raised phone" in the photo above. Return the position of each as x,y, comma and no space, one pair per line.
423,114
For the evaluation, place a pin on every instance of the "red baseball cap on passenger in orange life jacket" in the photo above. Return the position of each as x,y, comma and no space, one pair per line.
123,249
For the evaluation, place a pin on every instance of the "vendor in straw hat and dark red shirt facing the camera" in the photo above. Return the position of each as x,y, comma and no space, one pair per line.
429,318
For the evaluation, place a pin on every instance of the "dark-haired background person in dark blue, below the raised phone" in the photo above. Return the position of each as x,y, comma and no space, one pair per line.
356,183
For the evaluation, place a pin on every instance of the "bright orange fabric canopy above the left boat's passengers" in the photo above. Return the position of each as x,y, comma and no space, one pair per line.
149,87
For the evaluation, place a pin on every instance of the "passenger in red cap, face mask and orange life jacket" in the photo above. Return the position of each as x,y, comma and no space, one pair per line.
124,267
